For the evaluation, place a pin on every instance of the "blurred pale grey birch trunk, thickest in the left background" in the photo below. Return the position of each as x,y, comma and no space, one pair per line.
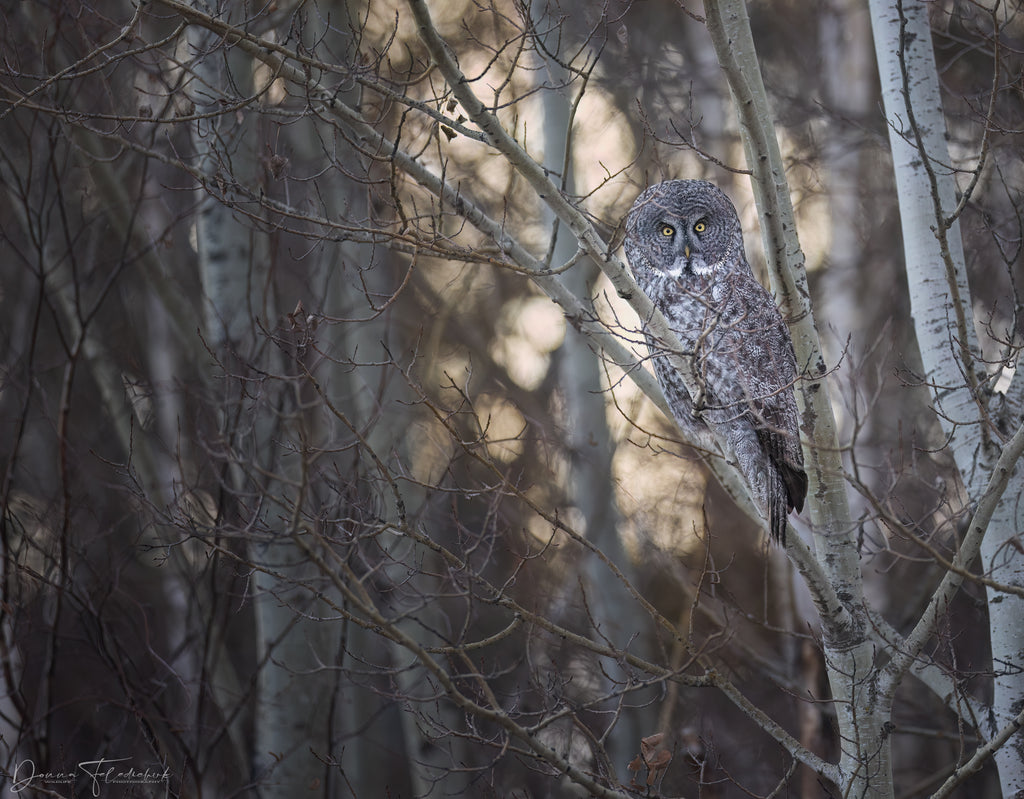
293,708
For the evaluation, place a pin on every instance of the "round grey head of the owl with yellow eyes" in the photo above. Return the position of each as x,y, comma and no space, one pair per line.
682,229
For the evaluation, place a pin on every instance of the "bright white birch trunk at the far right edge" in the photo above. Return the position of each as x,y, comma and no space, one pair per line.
942,308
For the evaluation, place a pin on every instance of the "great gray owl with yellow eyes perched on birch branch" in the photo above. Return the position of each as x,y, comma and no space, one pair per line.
686,245
